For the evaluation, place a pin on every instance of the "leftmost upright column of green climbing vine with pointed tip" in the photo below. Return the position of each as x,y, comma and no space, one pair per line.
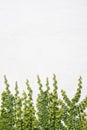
7,109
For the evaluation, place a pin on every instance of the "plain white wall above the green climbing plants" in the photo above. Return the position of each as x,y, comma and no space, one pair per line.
44,37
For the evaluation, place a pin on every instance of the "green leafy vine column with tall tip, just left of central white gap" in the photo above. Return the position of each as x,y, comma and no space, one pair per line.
29,118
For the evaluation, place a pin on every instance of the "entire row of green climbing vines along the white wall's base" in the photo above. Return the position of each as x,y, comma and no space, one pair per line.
52,113
